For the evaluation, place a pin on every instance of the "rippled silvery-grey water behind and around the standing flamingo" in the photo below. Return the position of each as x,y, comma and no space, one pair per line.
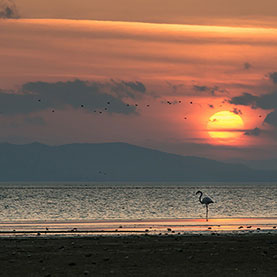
133,201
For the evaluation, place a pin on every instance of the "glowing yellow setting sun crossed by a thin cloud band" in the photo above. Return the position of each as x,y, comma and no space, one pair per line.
225,125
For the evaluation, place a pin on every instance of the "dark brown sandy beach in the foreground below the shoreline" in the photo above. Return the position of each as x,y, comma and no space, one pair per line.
140,255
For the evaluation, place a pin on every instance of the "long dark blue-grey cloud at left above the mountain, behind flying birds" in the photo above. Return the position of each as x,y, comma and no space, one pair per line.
77,94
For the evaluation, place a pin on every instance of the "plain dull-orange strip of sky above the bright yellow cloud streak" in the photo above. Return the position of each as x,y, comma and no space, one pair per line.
235,12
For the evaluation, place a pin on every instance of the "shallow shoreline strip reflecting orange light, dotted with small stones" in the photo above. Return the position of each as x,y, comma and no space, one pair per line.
150,226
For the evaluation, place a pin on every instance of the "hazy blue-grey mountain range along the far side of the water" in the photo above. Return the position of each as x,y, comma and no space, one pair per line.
116,162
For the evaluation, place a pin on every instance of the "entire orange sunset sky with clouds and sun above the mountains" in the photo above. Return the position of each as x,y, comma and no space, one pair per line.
146,72
